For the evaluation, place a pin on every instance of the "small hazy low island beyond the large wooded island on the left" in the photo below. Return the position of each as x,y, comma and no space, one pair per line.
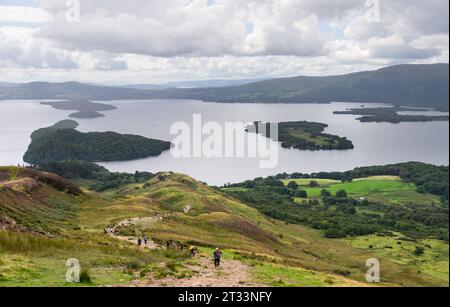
86,109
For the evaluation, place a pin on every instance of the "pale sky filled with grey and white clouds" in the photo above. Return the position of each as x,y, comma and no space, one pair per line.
157,41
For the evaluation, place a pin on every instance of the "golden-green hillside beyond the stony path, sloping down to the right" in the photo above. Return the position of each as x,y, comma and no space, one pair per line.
217,220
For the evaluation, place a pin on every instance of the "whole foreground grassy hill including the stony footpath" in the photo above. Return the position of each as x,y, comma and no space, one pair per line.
175,210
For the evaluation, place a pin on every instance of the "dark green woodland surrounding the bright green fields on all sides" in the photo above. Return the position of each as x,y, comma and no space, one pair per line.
340,215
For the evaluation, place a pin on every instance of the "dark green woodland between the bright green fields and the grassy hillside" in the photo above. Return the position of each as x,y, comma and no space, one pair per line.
339,216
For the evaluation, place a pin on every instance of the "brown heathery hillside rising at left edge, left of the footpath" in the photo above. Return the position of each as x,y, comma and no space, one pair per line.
37,202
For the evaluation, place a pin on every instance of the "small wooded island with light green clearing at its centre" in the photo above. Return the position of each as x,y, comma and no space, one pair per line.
304,135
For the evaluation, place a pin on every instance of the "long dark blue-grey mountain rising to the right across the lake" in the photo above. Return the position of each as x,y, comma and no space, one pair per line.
412,85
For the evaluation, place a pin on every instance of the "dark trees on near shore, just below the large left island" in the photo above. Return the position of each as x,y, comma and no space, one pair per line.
100,178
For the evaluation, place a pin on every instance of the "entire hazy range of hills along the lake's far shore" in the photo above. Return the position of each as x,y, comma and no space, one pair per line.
408,85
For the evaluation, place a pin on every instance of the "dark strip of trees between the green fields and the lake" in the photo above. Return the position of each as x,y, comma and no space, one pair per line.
427,178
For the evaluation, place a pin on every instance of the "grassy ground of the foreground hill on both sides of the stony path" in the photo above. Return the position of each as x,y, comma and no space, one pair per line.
280,254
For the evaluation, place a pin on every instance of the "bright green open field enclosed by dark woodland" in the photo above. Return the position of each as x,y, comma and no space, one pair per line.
383,189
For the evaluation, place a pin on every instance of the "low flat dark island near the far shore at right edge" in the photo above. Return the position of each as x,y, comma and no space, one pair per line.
390,115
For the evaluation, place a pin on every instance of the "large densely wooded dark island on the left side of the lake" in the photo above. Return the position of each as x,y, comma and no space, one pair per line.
62,142
